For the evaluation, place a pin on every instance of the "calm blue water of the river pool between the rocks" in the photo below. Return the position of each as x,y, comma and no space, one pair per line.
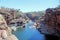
29,33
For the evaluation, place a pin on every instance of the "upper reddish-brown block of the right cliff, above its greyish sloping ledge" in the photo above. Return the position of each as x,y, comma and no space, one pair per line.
52,16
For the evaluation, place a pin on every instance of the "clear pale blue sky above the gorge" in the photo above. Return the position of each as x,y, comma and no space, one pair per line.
29,5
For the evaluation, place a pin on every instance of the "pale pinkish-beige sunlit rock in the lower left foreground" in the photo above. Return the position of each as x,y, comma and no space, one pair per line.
5,31
